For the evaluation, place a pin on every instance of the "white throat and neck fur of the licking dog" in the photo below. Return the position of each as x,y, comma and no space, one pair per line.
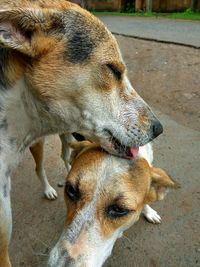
23,119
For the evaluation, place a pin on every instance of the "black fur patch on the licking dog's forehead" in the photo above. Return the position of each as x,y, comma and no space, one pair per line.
81,37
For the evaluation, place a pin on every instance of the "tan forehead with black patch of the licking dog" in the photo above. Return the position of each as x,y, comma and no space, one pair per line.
84,34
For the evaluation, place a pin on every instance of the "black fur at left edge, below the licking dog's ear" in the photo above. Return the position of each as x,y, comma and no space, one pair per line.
3,62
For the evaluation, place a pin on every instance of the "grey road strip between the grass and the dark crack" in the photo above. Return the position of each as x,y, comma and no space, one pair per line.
174,31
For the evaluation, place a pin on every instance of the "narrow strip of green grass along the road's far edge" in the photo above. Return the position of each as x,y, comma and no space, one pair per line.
187,15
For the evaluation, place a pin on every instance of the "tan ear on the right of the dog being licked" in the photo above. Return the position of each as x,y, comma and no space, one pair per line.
160,184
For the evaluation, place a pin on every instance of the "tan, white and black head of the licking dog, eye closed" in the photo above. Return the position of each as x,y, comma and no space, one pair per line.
73,66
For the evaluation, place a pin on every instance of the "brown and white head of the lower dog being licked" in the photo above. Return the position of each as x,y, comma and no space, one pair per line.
104,196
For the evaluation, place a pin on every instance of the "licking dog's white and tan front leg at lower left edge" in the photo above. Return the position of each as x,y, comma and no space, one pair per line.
5,221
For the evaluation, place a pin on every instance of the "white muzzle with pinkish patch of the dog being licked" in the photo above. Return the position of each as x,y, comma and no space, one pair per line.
80,244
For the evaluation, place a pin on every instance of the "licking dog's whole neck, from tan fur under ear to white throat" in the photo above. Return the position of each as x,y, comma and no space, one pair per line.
24,117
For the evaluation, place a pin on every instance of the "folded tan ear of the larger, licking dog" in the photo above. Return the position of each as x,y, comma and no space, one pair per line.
20,27
